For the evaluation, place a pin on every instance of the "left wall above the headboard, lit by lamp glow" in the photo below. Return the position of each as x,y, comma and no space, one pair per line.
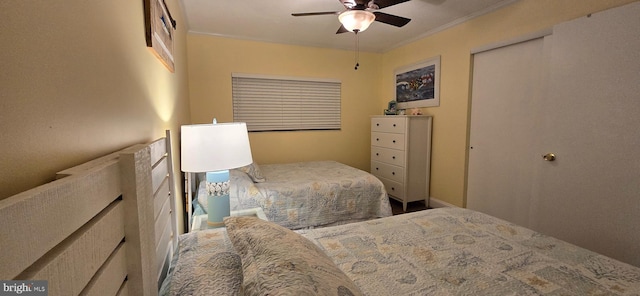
77,82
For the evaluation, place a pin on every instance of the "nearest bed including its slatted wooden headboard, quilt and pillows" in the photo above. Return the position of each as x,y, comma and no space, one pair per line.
108,227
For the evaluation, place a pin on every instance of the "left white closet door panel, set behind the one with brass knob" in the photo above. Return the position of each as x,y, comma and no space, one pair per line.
506,96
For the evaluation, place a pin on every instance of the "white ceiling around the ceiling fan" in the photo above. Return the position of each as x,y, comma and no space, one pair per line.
271,21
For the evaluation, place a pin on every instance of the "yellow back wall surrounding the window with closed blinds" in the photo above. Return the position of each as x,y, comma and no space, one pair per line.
213,59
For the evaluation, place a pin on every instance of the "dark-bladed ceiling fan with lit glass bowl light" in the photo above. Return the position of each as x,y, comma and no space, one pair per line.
359,14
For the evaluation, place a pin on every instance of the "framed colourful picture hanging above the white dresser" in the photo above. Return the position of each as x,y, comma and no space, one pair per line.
418,85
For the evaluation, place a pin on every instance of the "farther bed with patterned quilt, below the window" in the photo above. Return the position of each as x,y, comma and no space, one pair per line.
305,194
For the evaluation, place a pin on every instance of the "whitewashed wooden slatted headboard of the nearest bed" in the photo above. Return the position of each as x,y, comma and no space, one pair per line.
106,227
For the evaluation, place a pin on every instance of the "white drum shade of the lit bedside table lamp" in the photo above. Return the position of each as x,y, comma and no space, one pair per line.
214,147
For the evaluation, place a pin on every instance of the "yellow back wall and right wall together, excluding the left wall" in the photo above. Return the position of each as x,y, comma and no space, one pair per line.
367,91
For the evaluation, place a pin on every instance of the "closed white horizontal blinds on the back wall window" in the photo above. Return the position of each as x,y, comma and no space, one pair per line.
284,104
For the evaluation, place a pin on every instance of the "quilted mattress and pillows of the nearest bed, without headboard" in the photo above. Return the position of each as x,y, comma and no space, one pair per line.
446,251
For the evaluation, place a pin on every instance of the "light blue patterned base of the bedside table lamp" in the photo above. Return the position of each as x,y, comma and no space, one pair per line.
218,205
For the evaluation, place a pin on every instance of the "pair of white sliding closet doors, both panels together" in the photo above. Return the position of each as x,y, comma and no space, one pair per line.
586,112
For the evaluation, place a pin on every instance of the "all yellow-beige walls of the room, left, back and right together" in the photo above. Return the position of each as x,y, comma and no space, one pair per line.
78,82
